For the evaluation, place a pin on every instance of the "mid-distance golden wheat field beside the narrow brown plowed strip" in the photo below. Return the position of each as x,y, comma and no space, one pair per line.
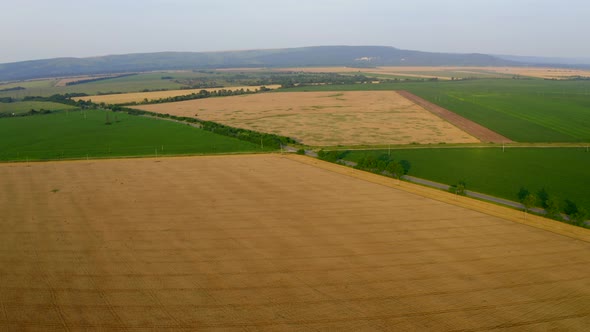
325,118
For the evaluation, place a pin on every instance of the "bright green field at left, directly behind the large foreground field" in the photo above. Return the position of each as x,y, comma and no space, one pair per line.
83,134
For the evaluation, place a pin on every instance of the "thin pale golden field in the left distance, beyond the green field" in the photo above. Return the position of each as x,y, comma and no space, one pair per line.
122,98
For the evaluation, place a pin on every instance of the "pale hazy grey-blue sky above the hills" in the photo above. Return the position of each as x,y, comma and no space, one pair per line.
37,29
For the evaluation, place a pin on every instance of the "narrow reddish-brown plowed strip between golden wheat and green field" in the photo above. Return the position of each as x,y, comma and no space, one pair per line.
482,133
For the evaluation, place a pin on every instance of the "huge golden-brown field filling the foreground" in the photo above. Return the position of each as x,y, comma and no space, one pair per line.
269,242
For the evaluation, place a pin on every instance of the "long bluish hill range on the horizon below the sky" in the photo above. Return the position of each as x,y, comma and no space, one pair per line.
352,56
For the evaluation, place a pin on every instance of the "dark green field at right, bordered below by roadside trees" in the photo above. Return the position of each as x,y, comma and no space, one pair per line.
563,172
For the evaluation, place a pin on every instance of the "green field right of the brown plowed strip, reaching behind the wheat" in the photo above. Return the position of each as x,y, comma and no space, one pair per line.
523,110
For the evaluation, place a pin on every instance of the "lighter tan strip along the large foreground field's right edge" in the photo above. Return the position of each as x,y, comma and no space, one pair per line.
449,198
